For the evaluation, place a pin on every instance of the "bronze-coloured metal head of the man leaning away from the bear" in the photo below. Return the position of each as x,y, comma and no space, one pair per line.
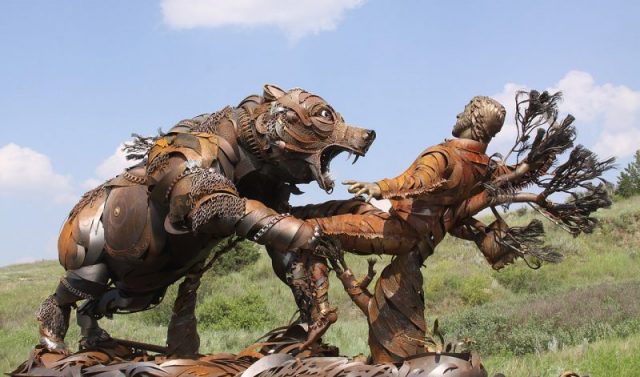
481,119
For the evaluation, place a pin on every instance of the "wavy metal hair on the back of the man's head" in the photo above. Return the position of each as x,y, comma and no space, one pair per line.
487,116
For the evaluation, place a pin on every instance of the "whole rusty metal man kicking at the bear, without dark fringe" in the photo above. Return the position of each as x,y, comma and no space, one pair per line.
436,195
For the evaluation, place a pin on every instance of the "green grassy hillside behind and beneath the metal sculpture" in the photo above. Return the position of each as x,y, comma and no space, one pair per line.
582,314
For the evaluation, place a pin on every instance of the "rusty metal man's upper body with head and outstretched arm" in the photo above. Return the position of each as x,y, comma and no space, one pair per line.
443,175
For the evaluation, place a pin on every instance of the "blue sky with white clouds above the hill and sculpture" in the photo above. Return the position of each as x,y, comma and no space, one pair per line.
78,77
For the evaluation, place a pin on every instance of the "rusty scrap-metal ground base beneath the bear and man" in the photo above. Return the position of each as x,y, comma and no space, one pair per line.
278,355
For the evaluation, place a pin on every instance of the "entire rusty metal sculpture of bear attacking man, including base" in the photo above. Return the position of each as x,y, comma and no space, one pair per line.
206,178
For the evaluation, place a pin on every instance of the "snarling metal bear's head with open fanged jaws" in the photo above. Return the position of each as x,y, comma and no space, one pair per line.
300,133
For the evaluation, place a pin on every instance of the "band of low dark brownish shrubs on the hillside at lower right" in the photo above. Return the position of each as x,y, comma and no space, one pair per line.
537,324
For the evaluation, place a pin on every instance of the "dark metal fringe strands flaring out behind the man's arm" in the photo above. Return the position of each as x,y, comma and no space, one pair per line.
538,112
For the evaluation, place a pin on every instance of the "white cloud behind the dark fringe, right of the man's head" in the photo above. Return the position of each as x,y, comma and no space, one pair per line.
610,112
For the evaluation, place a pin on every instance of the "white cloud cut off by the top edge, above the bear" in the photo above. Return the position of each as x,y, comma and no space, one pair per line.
296,18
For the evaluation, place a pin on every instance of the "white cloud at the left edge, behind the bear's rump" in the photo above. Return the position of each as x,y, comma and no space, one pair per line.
25,171
